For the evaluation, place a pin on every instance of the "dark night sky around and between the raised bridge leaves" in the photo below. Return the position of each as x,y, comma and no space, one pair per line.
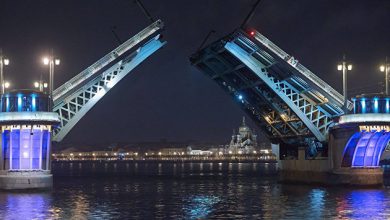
165,97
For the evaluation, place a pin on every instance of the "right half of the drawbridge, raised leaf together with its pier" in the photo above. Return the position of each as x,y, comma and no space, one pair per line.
298,111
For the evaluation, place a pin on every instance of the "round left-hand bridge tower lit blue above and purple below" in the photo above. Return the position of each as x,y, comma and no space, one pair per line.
26,128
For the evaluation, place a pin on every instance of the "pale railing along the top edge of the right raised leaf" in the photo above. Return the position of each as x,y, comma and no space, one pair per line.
302,69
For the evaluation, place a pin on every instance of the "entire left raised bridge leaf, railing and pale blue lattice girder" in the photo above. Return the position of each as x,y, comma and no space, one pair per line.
76,97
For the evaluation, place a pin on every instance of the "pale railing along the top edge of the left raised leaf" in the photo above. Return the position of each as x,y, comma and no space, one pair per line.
104,61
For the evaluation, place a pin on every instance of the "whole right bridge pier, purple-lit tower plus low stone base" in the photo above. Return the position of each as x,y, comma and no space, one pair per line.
355,145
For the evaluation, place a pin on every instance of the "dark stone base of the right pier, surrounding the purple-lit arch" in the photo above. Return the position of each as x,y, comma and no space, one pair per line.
330,171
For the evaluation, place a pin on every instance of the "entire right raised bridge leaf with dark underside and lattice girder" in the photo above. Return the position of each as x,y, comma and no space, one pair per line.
289,102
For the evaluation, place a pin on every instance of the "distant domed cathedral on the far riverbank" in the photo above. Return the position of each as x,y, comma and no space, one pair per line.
244,142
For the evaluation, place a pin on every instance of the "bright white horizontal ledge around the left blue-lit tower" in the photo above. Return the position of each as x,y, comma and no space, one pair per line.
29,116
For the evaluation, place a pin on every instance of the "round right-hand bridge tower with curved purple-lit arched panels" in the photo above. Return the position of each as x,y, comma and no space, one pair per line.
358,140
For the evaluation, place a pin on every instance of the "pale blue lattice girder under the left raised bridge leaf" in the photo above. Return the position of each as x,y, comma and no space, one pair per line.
72,107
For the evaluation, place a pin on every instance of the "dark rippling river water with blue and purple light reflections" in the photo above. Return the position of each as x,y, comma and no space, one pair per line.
188,191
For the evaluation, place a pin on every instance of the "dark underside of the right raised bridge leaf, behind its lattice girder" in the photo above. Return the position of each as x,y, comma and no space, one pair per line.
265,108
